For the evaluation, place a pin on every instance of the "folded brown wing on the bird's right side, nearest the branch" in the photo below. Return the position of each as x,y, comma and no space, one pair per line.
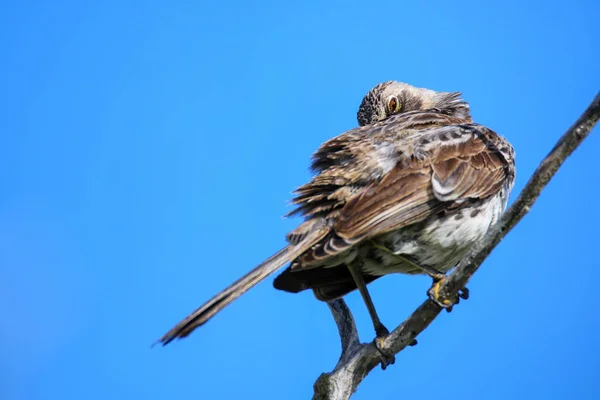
447,167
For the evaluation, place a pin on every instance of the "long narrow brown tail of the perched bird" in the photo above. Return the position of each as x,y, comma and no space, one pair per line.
239,287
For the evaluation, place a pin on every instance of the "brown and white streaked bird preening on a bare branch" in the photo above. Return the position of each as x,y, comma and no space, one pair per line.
410,190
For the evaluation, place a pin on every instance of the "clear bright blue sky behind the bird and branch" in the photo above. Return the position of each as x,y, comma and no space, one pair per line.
148,153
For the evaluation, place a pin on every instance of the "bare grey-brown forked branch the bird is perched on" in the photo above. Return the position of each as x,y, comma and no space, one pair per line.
358,359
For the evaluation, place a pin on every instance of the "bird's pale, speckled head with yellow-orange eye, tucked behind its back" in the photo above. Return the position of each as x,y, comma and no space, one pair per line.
392,97
